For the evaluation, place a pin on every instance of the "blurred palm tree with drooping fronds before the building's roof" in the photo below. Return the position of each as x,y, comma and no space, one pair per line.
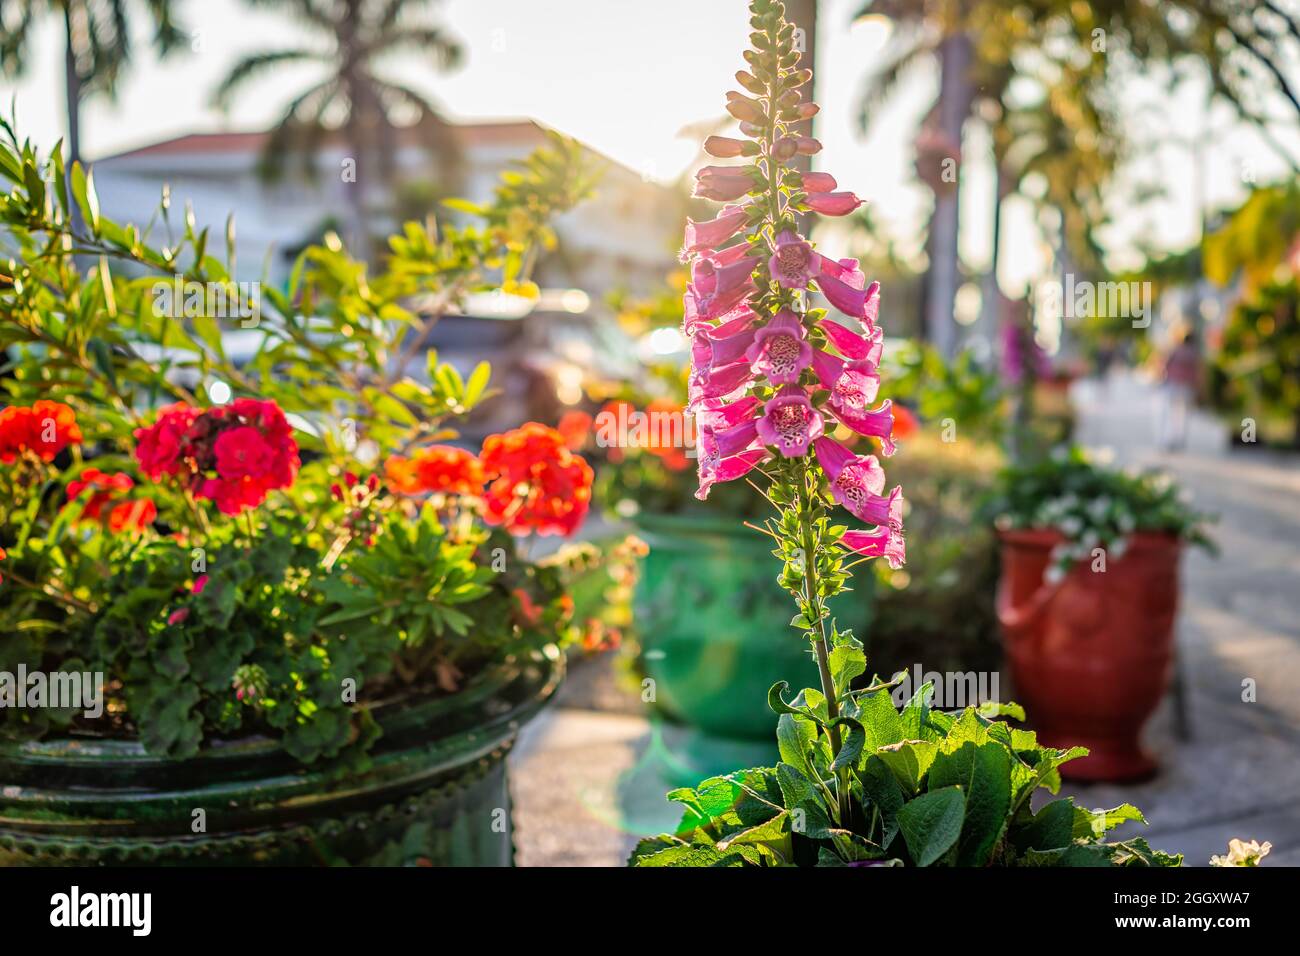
353,97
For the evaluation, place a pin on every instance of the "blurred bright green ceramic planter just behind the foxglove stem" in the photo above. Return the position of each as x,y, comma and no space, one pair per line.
714,626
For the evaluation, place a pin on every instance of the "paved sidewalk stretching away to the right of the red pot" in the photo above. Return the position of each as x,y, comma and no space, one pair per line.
1240,773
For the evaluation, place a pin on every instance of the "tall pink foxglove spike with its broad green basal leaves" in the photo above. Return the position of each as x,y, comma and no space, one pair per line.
859,781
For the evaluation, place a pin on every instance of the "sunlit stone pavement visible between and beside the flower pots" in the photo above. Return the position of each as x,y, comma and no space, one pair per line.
590,782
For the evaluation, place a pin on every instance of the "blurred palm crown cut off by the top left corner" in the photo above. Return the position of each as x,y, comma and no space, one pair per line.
97,46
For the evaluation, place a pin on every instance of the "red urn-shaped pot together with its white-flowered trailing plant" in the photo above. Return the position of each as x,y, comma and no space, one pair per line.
1087,602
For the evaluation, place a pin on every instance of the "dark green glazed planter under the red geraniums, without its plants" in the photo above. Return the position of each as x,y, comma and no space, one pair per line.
435,794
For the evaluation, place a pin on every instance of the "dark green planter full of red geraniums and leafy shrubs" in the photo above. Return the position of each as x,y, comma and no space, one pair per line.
262,611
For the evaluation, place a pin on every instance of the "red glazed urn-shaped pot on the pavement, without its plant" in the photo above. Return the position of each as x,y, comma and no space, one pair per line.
1093,655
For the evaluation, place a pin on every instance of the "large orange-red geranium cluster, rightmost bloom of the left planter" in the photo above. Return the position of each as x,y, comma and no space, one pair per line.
536,483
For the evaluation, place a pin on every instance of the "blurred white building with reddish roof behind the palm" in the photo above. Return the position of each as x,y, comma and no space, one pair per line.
621,239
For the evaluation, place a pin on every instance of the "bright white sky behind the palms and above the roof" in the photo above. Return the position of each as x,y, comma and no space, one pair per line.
627,77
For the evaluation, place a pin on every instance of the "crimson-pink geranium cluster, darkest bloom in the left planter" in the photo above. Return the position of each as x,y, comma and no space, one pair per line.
232,455
